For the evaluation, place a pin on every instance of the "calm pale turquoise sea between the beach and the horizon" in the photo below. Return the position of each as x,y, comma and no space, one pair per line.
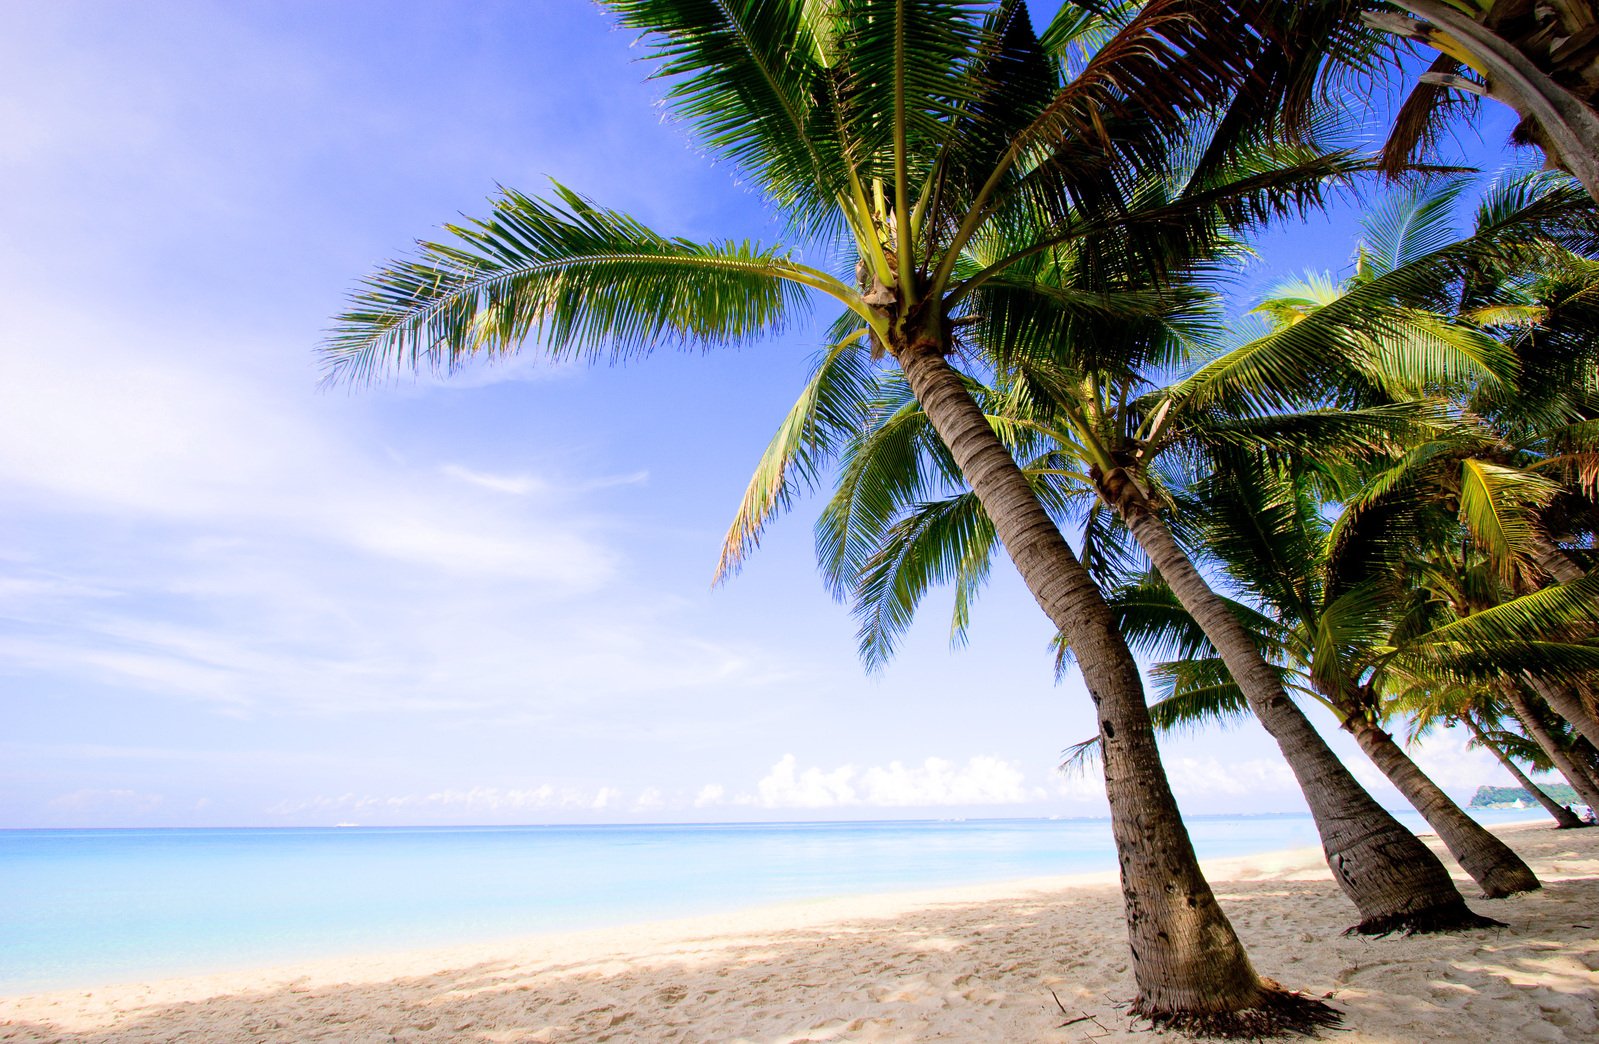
84,907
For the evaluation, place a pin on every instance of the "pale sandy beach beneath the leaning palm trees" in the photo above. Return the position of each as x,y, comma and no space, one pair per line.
968,965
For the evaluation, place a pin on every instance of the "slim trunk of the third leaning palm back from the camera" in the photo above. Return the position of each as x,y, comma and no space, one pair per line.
1489,861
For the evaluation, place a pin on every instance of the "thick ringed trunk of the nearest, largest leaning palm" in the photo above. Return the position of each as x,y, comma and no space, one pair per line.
1186,957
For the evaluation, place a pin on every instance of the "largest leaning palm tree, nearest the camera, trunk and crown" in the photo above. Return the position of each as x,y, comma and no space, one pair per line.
901,133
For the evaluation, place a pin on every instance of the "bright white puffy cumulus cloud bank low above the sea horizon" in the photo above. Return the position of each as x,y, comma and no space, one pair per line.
935,783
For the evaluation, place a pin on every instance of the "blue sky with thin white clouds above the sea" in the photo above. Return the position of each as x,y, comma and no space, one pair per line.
233,599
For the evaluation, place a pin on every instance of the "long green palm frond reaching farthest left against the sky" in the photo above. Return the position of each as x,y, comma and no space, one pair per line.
580,279
